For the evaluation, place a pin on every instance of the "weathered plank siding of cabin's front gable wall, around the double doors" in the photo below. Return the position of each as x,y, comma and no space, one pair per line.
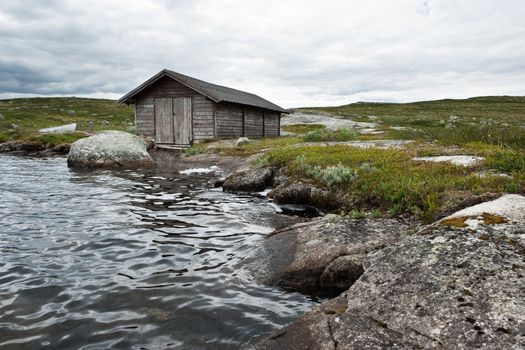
203,109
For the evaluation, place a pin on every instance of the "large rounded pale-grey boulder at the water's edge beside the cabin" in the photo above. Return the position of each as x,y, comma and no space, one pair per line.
109,149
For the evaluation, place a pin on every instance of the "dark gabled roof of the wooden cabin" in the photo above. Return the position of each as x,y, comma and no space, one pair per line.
216,93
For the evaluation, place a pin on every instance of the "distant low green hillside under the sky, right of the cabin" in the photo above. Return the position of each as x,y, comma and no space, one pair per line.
492,120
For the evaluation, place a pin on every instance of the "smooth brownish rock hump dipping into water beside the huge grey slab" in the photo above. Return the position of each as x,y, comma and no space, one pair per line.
323,256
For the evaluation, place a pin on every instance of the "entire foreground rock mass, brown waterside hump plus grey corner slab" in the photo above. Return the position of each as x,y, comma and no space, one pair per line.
442,287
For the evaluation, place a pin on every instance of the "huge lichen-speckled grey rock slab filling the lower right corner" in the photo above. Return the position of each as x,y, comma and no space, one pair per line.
448,286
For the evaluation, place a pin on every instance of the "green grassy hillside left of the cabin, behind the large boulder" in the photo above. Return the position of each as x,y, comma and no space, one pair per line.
20,118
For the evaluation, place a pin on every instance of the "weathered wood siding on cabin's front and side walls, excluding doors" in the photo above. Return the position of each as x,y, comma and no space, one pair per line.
209,119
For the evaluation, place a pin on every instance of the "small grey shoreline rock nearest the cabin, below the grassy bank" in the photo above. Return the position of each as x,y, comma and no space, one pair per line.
248,179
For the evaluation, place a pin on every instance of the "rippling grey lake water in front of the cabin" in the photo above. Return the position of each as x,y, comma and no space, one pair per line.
130,260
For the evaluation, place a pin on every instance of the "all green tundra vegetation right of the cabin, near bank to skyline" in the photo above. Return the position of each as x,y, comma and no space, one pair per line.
389,182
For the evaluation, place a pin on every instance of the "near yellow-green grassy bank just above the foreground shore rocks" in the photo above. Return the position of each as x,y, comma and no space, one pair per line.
388,180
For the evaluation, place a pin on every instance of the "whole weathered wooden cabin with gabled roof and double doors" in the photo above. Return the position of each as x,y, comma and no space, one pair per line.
175,109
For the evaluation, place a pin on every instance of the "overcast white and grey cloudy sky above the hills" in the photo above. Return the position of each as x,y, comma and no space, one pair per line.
294,53
